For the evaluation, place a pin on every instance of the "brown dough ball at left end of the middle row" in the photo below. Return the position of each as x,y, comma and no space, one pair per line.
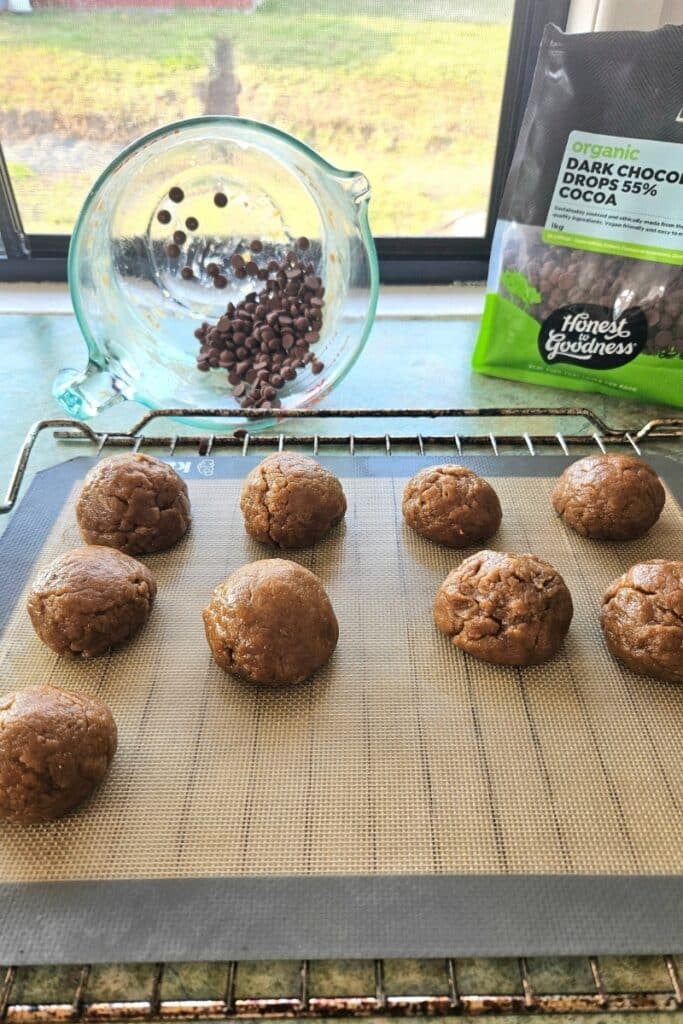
90,601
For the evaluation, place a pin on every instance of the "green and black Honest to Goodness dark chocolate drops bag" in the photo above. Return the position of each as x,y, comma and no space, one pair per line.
586,277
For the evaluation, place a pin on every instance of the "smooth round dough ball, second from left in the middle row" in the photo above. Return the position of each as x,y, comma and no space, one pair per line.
271,623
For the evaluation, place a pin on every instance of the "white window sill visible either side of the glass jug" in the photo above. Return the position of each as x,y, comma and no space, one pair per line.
462,302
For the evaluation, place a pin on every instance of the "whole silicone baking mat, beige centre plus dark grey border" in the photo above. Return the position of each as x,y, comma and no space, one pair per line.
444,820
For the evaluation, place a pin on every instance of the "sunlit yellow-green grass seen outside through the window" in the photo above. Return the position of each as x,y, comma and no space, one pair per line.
413,103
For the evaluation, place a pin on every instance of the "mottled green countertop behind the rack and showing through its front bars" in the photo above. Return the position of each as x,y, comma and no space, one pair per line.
409,363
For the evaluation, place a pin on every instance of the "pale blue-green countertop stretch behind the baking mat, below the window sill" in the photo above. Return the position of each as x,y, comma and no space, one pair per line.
417,364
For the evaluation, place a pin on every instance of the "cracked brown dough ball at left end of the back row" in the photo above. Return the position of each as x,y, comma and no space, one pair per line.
135,503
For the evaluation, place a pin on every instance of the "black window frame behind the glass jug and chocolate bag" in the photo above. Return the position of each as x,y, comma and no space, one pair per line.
404,261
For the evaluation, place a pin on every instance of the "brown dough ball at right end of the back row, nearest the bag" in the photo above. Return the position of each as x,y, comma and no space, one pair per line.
610,497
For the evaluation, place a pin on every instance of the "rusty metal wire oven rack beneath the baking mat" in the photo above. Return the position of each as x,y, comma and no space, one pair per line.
447,1000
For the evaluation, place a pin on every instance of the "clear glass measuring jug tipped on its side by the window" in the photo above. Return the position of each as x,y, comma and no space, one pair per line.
138,314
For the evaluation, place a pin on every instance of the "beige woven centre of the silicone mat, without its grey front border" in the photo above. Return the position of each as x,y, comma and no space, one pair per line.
404,755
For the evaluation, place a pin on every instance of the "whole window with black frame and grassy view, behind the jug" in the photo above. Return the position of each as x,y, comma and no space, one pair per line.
409,92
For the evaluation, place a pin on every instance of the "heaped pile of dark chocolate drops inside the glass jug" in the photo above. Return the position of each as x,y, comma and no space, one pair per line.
264,340
